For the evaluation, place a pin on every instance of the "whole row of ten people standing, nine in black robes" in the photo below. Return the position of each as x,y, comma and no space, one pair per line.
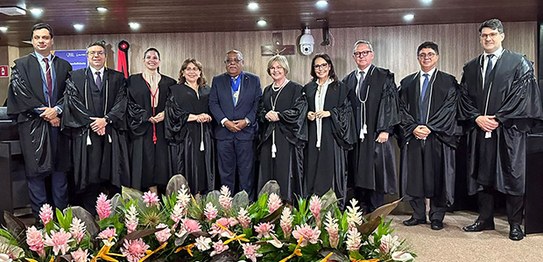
326,135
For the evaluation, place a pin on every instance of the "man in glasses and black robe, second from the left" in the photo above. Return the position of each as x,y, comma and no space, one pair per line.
95,115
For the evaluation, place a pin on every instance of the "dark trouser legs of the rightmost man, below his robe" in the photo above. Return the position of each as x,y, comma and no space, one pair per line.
514,206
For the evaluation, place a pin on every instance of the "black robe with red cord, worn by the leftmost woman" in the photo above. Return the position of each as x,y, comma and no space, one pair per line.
149,162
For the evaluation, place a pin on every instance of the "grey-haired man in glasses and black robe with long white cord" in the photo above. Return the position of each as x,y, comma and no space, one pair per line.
374,98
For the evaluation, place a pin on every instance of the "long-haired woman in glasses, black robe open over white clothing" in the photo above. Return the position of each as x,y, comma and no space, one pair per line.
331,131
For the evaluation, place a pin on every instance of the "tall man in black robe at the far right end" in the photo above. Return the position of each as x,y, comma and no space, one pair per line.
500,103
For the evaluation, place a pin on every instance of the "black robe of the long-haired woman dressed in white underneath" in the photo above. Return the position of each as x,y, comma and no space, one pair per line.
326,168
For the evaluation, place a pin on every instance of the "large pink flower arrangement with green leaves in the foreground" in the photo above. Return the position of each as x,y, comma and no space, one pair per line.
135,226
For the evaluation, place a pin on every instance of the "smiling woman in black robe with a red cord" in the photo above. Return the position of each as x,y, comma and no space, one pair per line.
147,94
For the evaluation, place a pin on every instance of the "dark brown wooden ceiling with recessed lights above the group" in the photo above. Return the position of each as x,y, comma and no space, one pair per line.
168,16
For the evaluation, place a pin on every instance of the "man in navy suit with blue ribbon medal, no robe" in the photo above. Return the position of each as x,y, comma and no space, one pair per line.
233,101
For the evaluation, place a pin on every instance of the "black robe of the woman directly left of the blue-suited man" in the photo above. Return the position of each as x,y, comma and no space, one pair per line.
190,159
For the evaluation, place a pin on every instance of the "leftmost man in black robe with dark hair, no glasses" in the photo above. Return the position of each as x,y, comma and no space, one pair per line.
35,99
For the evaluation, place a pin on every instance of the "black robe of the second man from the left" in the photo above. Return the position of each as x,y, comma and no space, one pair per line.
97,158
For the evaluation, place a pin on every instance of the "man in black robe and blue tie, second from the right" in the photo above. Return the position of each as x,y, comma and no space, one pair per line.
428,111
